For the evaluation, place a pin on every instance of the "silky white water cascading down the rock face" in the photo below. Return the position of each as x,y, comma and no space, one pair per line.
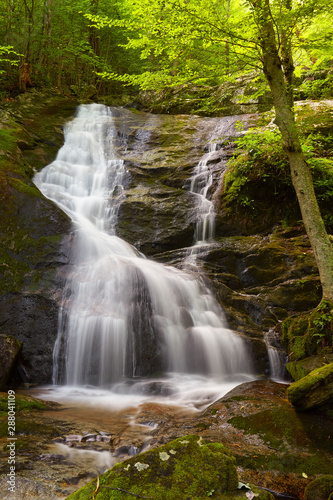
118,305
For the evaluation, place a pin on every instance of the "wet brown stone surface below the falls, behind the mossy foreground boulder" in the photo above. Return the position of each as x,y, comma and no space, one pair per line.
276,448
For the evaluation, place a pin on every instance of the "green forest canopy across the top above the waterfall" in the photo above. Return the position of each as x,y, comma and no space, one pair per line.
152,44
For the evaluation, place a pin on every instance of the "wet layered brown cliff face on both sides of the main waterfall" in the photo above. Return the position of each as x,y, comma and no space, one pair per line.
258,279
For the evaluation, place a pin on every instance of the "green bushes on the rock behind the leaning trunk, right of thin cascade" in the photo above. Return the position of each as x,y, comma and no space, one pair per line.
258,177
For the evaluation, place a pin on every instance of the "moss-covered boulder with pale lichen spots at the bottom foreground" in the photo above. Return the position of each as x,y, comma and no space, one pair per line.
186,468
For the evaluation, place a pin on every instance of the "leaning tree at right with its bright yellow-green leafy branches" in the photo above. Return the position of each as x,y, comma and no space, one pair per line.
184,41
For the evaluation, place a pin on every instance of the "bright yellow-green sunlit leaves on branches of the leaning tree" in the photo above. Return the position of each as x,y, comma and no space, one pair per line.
206,41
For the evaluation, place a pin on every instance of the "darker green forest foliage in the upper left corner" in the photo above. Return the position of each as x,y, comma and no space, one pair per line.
56,39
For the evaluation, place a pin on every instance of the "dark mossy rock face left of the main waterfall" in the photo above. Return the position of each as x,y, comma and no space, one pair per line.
32,232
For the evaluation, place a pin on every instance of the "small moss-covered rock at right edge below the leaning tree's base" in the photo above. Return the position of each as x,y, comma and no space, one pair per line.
313,390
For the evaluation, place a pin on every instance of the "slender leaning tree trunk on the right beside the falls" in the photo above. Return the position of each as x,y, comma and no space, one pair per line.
300,171
